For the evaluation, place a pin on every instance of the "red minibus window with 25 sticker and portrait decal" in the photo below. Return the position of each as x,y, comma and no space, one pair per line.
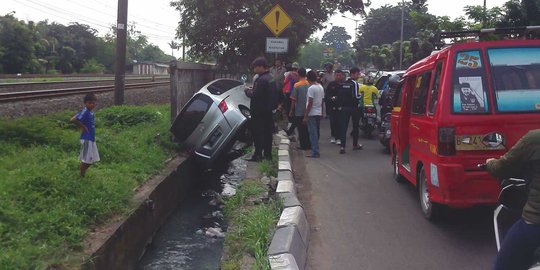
469,85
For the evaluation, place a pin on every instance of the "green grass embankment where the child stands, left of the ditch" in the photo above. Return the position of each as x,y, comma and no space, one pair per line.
46,209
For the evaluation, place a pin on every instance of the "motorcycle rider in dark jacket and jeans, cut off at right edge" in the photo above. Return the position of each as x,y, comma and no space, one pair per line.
523,160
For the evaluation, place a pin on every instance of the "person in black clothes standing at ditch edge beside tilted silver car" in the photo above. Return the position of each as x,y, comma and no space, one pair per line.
261,106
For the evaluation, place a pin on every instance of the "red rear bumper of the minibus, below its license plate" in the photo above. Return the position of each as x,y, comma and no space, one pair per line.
460,188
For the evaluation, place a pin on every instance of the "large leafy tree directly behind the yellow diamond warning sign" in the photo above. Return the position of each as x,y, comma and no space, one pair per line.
231,31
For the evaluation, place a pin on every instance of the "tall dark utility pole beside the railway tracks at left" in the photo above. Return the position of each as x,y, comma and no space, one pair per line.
121,36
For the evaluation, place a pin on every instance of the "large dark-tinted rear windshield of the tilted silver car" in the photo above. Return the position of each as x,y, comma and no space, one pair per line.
190,117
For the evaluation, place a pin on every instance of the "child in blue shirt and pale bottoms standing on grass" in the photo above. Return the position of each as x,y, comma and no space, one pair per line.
85,121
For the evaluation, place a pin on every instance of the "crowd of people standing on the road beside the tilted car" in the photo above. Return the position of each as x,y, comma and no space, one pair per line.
302,95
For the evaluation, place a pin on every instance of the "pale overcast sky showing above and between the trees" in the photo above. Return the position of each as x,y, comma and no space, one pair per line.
157,20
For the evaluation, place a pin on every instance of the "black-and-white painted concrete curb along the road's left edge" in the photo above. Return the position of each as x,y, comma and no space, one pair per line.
288,249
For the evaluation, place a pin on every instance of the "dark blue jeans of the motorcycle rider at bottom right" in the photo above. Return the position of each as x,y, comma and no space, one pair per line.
518,246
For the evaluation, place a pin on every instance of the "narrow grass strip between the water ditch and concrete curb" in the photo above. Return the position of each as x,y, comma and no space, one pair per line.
252,221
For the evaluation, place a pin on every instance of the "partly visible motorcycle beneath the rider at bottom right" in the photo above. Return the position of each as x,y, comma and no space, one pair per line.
512,199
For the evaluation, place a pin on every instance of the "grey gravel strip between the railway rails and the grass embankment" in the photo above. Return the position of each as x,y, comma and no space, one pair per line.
154,95
